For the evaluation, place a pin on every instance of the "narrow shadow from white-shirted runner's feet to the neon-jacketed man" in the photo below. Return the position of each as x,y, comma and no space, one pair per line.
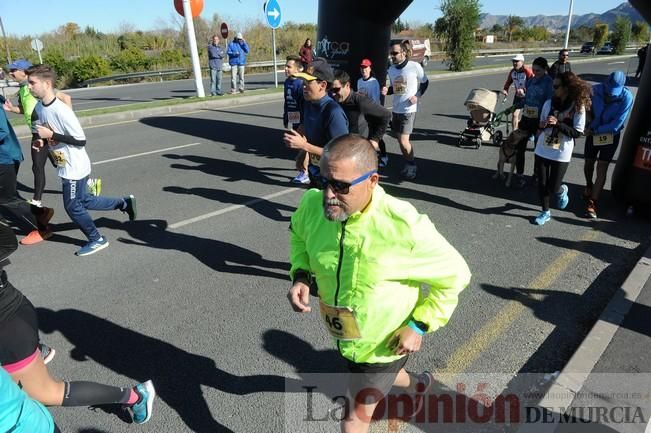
218,255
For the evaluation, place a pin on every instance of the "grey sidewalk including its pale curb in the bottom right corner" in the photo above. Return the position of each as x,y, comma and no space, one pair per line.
608,380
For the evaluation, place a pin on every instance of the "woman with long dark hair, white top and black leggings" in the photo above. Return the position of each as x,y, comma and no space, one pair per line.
562,120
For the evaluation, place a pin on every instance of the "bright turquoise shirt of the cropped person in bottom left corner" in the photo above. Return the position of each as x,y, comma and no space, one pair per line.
19,413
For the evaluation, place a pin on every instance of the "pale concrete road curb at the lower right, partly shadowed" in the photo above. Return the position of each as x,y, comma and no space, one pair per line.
570,381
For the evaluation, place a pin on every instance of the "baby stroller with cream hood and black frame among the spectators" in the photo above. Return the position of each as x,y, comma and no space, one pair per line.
484,121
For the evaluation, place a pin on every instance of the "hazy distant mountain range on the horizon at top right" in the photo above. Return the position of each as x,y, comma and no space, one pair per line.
559,22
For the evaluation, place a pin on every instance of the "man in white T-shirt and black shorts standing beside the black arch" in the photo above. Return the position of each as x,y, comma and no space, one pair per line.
408,84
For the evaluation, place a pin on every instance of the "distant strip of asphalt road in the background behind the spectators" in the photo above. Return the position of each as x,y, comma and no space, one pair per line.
108,96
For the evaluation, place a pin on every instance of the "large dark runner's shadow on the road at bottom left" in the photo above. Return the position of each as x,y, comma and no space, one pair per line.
177,374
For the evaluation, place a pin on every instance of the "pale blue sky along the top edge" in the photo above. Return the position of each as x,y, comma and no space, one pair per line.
109,15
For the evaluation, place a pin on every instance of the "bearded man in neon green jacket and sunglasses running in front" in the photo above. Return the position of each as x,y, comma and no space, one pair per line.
368,253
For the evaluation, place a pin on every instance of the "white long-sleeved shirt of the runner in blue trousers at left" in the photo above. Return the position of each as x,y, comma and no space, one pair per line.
72,161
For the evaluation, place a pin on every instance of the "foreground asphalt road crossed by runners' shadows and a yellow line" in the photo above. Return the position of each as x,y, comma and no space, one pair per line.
192,294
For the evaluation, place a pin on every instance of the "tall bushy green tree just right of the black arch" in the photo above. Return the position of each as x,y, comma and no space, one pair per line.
461,21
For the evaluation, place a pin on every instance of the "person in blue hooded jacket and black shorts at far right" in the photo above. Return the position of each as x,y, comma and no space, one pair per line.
611,105
